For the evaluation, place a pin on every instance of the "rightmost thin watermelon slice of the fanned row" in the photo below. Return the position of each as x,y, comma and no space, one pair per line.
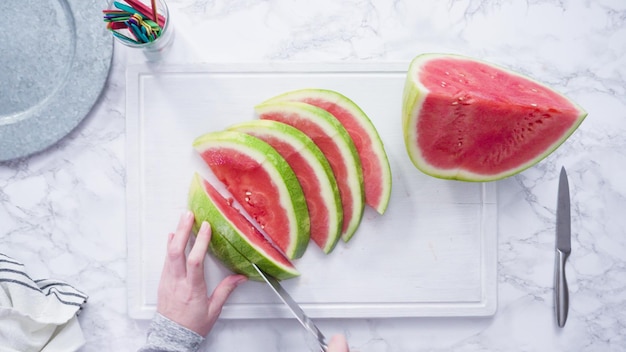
376,170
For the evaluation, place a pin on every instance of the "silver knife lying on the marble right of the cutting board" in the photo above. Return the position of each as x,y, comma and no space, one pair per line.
563,249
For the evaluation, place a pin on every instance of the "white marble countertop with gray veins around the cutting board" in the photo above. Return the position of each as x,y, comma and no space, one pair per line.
62,210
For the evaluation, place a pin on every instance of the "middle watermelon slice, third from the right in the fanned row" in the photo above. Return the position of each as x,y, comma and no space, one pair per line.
312,170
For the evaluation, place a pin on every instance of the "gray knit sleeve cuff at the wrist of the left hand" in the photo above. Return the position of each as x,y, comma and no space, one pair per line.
165,335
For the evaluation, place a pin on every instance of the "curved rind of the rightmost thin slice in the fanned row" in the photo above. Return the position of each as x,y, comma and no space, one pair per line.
375,142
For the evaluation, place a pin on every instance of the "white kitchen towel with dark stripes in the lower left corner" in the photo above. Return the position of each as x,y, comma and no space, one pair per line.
37,315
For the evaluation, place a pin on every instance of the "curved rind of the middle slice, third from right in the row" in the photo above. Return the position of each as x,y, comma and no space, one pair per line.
316,160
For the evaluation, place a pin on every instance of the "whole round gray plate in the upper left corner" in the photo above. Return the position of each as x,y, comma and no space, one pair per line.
55,59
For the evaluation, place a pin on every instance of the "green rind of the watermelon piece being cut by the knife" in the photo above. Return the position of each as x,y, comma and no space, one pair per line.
228,244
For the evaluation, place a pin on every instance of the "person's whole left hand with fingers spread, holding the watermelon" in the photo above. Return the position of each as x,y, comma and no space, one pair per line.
182,294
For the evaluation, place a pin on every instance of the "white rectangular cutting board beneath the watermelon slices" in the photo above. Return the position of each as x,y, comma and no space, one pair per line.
433,253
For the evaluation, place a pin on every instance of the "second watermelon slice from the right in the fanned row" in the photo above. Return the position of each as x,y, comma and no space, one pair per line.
335,142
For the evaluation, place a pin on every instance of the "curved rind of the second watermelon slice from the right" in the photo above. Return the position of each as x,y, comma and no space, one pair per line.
334,128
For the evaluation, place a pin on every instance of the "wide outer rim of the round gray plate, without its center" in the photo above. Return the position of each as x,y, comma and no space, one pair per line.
91,62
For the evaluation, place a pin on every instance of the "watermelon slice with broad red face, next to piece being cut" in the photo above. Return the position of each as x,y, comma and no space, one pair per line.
263,183
